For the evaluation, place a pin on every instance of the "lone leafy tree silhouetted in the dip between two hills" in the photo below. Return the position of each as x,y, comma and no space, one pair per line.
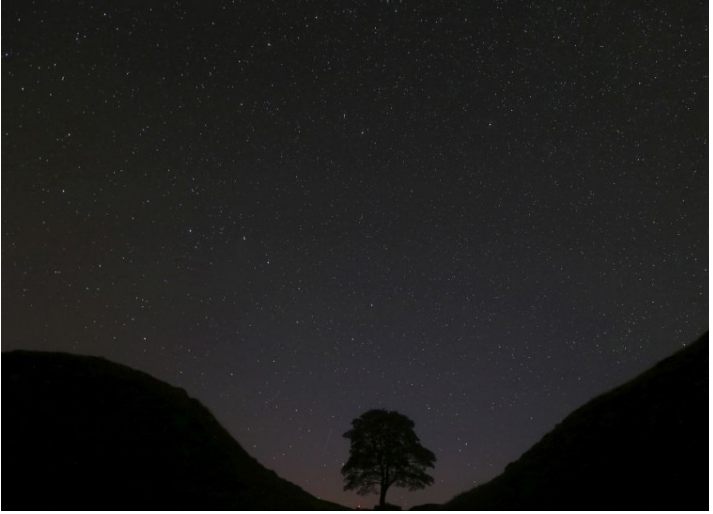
385,451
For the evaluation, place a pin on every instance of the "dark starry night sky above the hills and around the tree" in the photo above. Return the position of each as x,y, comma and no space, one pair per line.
479,214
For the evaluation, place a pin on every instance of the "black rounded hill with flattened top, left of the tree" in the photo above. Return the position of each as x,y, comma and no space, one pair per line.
86,433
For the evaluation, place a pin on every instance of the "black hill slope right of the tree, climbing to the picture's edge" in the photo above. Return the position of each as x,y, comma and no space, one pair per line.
644,445
